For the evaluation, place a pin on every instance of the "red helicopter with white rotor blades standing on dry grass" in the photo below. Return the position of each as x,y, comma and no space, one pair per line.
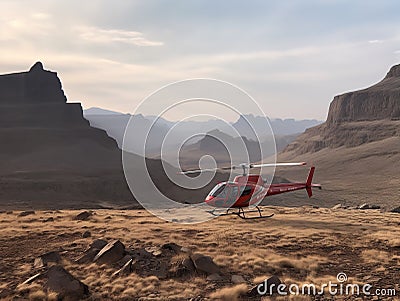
247,190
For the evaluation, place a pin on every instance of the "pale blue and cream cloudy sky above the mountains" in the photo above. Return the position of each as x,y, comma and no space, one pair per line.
291,56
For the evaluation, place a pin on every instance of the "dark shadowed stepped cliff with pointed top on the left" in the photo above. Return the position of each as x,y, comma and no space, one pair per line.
49,155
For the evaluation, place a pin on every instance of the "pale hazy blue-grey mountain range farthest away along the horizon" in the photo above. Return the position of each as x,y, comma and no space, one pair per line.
115,124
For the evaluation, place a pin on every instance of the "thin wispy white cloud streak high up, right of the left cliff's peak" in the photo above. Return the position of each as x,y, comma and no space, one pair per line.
99,35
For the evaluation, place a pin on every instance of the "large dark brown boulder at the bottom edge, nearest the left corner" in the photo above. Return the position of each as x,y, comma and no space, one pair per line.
65,285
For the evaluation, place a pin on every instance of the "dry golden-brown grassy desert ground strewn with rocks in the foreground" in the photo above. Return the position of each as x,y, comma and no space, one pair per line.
298,245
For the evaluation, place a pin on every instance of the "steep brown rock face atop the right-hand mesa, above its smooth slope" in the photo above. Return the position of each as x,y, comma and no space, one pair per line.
356,118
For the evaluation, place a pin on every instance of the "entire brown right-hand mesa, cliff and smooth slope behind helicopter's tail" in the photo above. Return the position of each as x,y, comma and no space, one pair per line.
356,151
